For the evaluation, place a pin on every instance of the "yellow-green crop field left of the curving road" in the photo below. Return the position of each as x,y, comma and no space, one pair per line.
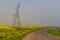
16,33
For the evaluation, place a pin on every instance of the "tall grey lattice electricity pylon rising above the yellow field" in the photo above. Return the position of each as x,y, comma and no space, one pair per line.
16,16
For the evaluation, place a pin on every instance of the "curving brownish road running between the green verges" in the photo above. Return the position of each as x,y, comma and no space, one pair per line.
40,35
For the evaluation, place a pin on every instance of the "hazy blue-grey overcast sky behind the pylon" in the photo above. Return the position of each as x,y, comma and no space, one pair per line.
32,12
